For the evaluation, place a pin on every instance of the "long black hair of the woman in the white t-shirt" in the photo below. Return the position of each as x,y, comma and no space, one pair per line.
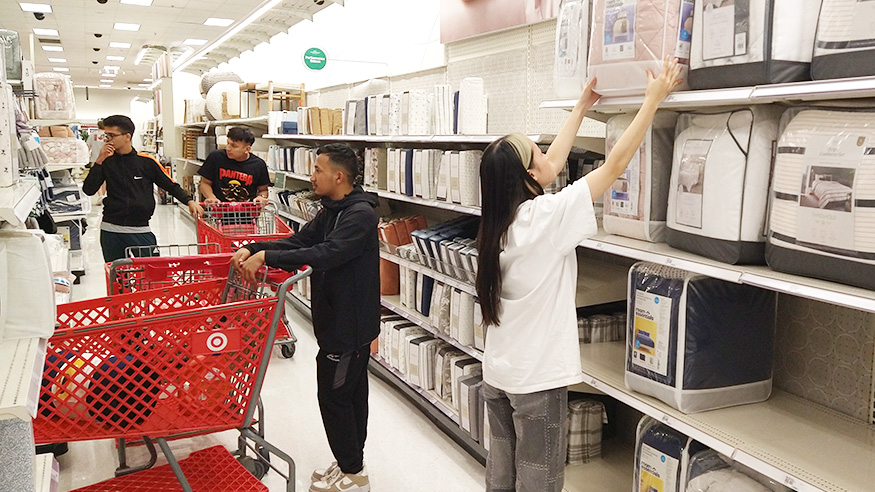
504,185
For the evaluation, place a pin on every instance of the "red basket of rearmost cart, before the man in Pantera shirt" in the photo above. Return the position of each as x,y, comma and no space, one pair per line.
235,224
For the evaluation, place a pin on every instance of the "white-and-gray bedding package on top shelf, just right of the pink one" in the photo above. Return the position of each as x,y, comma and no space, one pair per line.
751,42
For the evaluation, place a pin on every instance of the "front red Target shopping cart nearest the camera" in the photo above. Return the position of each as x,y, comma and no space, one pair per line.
164,363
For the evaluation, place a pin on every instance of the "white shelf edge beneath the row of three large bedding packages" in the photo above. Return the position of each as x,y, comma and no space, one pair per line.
760,276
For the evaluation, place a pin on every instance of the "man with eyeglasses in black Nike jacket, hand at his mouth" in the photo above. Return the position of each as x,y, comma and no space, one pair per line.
130,202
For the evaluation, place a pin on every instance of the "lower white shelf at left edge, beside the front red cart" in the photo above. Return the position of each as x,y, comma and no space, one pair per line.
21,363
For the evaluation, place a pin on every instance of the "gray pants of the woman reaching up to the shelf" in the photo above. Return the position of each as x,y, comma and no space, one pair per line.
528,440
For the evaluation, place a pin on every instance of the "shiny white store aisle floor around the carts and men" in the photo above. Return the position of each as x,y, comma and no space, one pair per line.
405,452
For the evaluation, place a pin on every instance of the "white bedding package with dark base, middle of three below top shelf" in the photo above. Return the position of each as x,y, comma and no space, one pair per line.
719,183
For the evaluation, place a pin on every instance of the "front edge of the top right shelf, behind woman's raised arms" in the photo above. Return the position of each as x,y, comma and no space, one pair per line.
820,90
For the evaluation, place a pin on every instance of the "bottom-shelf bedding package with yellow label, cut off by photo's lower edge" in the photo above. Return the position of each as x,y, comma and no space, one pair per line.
662,456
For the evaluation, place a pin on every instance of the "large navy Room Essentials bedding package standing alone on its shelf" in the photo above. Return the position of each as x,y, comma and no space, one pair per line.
698,343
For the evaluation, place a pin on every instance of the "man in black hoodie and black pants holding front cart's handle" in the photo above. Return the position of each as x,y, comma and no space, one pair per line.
341,246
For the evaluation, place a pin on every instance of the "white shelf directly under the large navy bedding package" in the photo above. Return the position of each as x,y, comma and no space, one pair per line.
798,443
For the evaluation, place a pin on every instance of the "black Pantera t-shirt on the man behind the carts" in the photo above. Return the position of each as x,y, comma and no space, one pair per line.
235,181
